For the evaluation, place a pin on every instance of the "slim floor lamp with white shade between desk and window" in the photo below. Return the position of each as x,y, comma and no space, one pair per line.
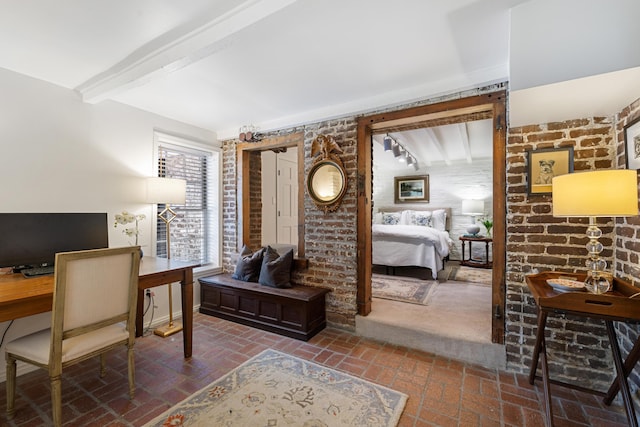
167,191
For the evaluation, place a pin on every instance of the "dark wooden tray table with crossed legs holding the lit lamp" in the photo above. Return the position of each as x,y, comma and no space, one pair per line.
615,305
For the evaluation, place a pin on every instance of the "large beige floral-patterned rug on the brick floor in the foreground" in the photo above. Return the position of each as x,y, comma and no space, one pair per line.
276,389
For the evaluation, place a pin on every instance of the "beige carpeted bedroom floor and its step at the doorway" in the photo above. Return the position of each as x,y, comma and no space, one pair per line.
455,323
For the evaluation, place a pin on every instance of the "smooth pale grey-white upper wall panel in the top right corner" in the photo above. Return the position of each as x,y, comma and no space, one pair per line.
553,41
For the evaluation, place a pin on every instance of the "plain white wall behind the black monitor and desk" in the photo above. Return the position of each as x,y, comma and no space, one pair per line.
58,154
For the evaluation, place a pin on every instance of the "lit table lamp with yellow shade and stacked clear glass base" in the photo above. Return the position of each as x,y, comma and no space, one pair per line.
611,193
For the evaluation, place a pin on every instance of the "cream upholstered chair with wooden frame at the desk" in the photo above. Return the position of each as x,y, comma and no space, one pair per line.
94,310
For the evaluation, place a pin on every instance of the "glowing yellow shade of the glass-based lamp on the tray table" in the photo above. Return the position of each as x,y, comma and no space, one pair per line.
596,193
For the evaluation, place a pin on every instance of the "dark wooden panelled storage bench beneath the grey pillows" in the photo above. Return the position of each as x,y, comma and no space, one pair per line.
297,312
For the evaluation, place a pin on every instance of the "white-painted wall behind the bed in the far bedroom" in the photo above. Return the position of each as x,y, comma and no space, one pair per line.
448,186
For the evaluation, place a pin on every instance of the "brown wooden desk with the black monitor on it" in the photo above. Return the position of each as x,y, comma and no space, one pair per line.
20,297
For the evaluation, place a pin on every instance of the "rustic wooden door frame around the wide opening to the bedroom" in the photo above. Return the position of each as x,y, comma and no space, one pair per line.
490,105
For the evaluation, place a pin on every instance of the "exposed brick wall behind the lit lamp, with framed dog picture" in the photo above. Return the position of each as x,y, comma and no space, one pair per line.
537,241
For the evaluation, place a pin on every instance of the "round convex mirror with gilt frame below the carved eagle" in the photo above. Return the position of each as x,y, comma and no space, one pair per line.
327,184
